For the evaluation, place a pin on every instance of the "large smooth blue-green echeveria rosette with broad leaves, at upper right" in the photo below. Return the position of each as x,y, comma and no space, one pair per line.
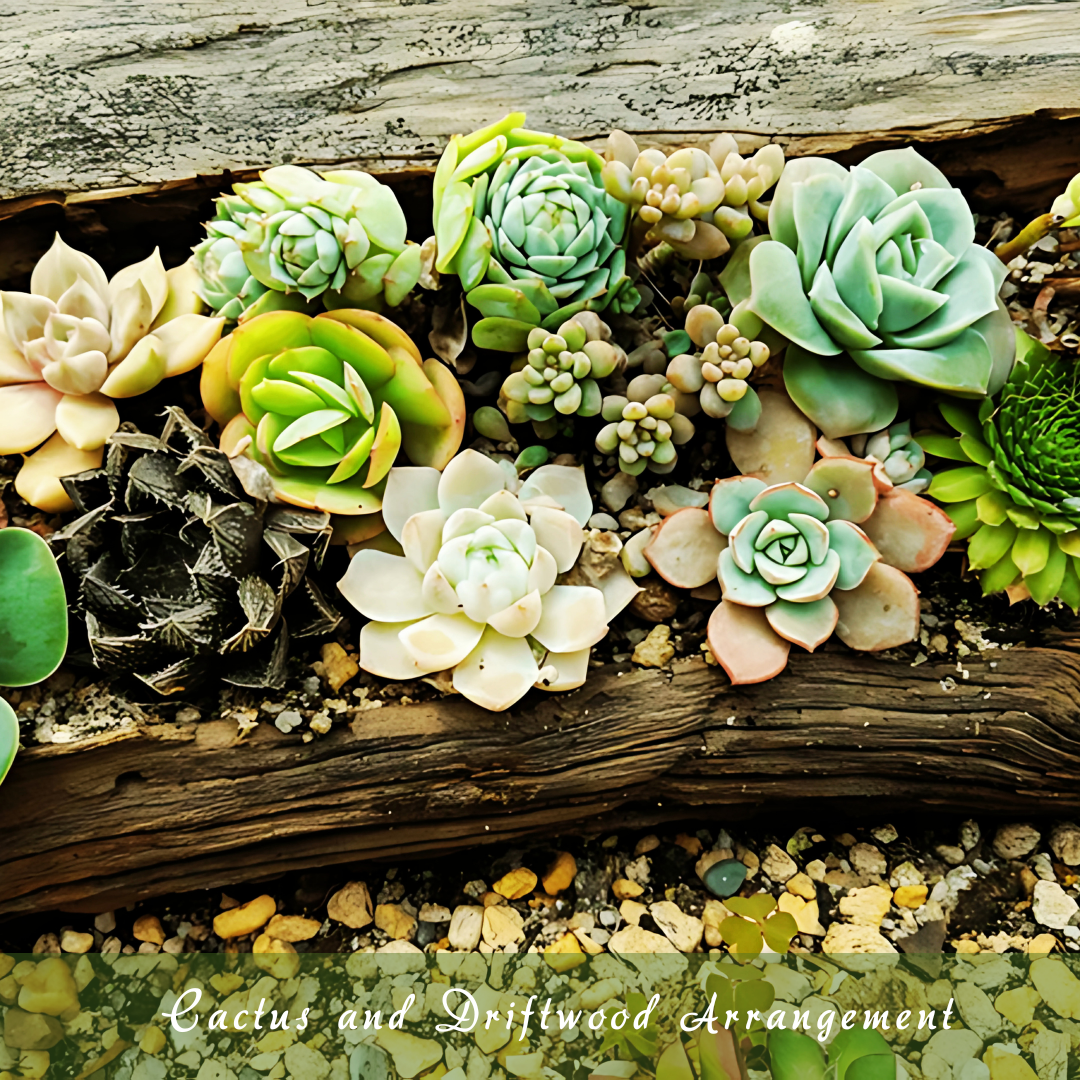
874,276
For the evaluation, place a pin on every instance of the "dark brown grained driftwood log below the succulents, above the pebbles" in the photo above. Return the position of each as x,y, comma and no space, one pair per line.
170,808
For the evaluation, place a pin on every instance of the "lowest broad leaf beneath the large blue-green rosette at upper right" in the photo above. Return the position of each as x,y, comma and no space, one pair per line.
838,396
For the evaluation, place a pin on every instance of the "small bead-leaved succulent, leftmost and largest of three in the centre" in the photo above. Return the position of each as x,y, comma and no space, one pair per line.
560,373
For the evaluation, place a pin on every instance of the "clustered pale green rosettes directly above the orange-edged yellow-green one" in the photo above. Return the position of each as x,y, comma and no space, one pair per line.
337,235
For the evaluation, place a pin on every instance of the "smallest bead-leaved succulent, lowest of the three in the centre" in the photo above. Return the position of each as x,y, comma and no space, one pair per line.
643,429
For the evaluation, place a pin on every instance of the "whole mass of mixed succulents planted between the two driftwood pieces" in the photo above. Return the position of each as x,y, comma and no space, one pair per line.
815,359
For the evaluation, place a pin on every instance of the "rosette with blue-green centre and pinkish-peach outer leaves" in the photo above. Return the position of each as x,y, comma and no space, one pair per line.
799,560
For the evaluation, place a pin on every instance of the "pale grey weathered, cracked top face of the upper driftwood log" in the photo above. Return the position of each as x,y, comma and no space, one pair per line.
121,94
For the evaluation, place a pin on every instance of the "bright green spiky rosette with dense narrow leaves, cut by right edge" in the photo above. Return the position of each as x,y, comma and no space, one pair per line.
1017,497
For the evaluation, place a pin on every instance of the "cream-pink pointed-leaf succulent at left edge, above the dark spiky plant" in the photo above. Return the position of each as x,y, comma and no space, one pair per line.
78,341
